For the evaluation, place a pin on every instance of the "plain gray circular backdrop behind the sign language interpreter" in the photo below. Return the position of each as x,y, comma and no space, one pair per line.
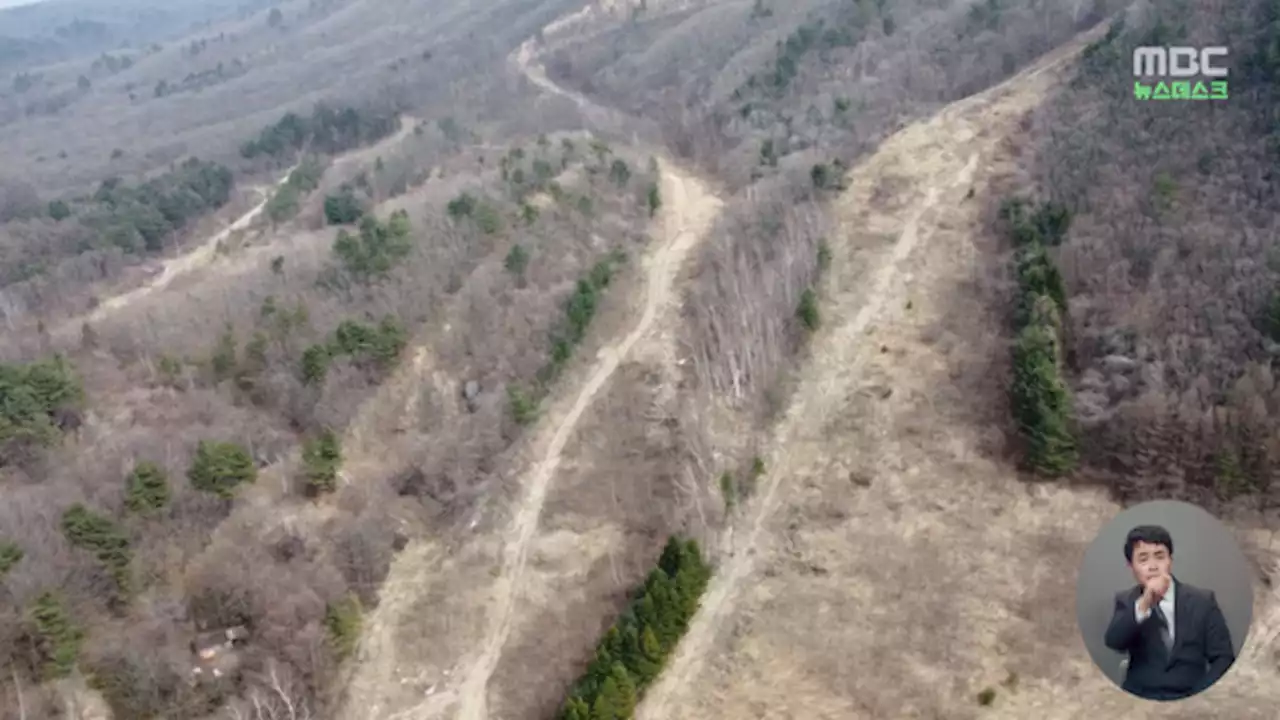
1205,555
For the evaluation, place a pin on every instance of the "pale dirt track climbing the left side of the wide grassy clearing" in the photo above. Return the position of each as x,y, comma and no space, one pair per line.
904,192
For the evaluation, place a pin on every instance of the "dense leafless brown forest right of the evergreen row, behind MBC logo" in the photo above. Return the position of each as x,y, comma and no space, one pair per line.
1171,266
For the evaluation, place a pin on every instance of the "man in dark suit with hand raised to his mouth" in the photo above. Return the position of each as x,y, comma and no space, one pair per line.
1174,634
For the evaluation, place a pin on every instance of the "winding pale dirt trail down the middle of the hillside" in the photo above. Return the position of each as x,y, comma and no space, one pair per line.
688,212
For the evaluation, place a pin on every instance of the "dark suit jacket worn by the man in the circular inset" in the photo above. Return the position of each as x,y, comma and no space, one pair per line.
1203,645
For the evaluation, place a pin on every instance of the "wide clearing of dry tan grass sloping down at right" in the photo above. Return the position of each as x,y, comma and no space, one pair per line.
897,564
